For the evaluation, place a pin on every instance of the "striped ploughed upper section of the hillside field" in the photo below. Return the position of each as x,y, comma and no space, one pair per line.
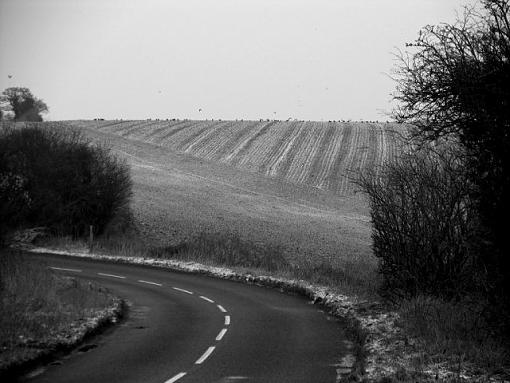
325,155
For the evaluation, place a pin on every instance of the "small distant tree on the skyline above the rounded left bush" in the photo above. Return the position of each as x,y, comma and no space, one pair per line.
24,105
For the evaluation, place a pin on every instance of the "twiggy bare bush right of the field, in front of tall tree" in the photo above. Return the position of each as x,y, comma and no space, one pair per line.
422,224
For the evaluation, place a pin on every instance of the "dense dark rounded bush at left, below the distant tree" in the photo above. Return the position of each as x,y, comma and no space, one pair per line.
51,176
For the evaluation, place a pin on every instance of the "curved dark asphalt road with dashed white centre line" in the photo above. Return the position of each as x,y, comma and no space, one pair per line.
190,328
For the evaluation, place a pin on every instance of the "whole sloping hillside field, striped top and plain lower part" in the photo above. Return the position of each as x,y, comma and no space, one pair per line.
285,183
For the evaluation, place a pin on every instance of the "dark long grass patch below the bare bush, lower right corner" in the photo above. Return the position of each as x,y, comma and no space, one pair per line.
456,332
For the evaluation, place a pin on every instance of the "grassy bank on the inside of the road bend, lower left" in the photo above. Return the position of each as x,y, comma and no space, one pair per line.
42,311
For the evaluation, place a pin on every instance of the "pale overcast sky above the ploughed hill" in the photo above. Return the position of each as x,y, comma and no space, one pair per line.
251,59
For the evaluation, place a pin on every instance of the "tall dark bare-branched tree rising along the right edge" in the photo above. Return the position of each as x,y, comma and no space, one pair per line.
455,82
